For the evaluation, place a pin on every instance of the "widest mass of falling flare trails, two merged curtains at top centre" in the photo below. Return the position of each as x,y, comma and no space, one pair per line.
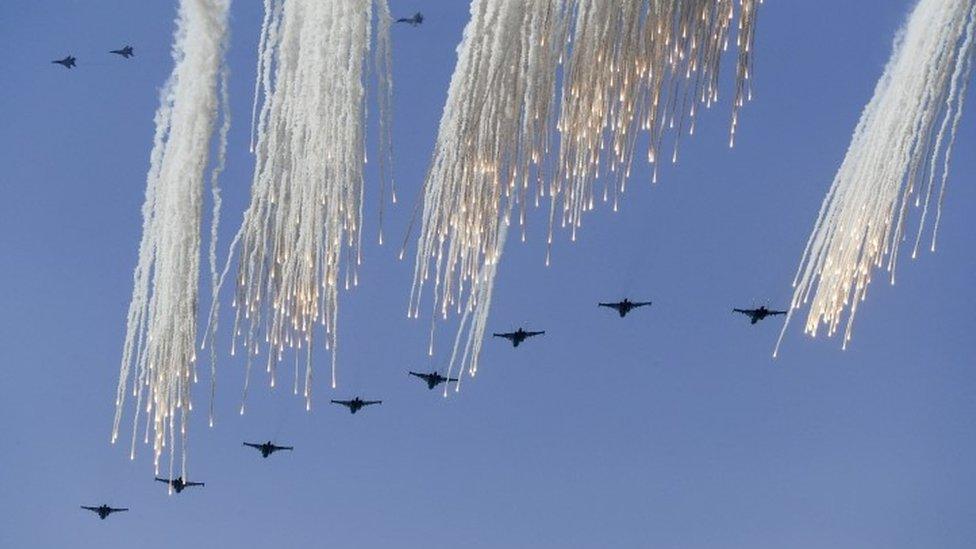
631,65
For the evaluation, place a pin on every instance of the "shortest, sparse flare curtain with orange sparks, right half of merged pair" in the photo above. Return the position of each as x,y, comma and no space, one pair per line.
639,66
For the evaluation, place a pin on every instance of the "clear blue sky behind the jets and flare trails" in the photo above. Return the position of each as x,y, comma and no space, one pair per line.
671,428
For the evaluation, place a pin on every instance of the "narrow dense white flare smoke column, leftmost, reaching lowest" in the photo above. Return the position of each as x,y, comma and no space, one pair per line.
161,322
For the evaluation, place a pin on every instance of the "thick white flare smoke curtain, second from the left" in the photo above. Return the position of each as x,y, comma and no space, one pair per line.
306,201
